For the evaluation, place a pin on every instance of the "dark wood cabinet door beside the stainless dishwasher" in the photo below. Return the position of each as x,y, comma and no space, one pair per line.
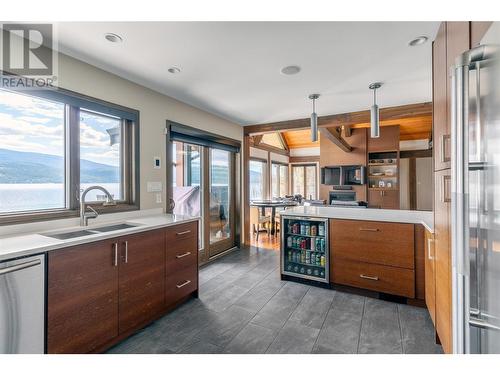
82,300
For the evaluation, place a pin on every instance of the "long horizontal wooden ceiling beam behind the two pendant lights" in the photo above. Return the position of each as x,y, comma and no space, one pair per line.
388,113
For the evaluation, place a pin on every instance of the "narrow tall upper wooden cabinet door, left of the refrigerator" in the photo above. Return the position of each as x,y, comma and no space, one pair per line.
441,128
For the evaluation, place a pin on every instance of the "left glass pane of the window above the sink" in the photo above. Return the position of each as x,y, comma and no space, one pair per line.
31,153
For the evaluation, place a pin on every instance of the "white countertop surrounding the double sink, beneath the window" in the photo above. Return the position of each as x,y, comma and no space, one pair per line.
36,243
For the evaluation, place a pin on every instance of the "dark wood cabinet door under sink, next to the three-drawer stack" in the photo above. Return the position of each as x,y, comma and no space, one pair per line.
141,278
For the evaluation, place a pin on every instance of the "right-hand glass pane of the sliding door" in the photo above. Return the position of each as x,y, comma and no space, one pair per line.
220,163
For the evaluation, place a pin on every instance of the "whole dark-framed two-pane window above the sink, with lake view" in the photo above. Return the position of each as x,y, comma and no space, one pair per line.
54,144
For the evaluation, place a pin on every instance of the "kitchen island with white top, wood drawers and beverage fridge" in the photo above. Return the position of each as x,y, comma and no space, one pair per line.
375,249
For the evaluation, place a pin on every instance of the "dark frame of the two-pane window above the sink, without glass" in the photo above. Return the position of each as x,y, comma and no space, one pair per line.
130,160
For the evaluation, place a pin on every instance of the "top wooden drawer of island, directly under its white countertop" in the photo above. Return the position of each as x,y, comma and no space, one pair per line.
390,244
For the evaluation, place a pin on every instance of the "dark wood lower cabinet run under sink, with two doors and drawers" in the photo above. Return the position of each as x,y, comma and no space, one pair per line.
101,292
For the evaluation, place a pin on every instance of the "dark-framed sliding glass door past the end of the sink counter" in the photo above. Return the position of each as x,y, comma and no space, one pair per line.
201,183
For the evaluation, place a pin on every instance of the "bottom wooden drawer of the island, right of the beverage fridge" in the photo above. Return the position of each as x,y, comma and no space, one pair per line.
391,280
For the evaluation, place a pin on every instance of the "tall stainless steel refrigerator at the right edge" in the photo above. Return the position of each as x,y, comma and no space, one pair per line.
475,213
